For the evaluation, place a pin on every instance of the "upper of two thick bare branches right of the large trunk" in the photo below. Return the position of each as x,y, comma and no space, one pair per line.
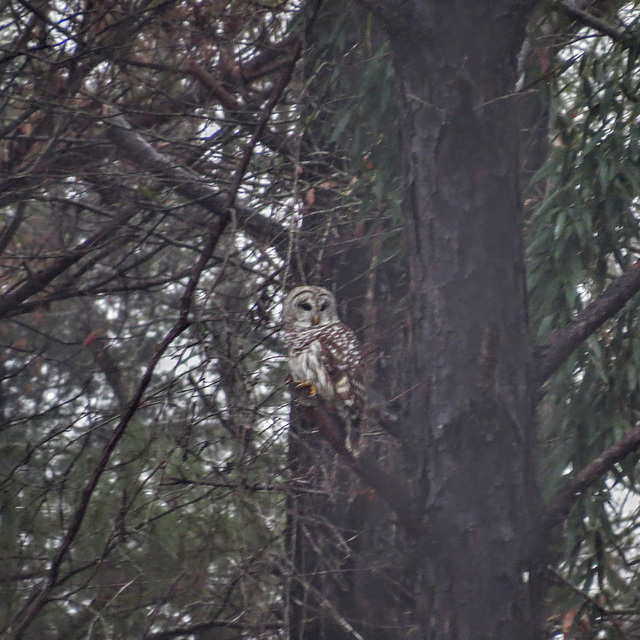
564,341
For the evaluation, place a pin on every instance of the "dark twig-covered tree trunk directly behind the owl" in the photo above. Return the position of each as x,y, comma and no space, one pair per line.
343,540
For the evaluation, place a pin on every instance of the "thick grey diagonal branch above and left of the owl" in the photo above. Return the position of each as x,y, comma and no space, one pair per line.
187,184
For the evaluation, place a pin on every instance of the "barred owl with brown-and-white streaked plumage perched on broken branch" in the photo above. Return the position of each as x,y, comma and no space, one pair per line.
324,354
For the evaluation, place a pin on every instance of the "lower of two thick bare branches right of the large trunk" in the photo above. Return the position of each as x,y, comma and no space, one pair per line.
561,503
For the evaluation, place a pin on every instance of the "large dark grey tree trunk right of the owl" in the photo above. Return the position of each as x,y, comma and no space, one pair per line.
471,415
